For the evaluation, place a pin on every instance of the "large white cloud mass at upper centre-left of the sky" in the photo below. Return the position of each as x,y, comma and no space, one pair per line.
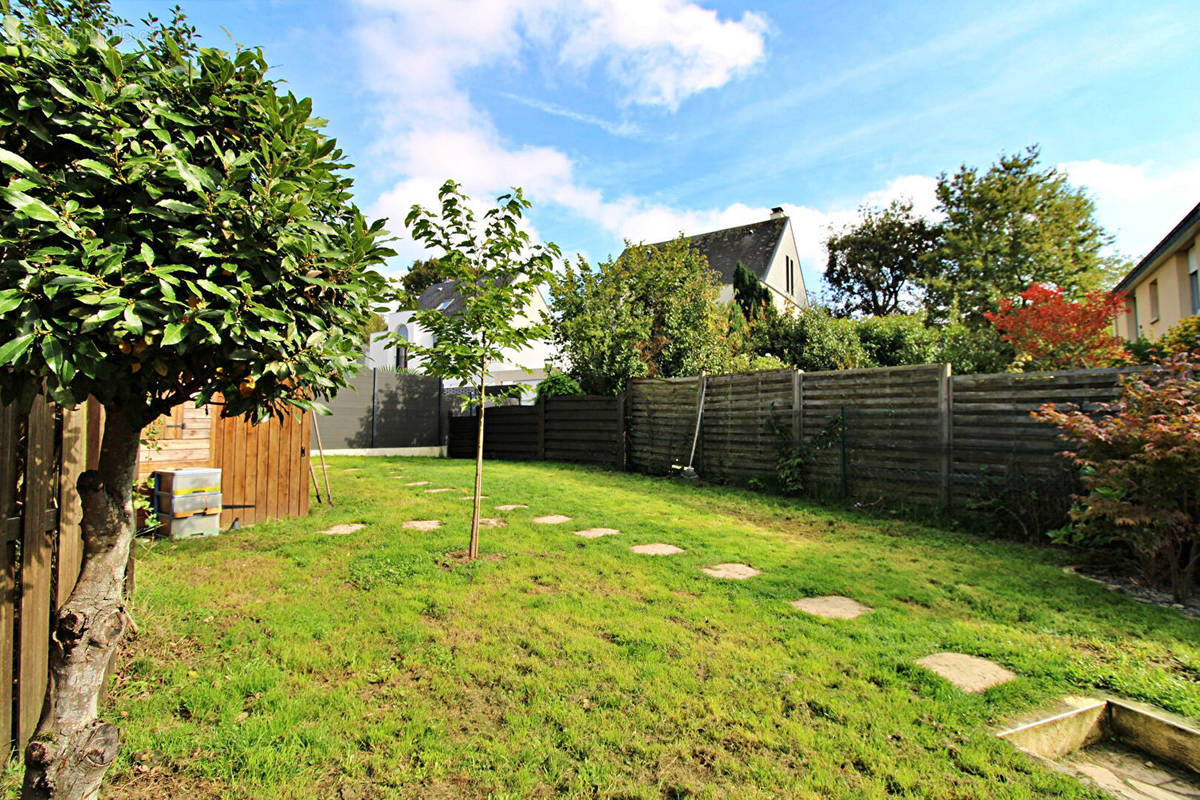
417,53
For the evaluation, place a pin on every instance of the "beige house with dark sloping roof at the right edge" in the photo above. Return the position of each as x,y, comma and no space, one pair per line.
1166,286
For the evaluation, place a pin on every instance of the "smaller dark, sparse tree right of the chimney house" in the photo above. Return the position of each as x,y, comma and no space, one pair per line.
879,266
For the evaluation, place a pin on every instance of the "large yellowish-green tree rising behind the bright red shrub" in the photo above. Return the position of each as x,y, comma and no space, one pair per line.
1010,227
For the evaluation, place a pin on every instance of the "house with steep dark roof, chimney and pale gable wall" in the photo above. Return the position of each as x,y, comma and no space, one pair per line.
766,249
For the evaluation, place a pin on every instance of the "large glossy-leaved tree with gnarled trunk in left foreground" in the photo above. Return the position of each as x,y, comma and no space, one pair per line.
177,228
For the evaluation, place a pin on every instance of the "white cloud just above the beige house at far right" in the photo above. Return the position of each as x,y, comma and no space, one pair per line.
1137,203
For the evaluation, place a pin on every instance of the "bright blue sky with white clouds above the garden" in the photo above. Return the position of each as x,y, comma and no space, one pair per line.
640,119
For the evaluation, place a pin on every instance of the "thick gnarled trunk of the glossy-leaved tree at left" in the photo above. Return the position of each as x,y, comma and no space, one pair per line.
71,750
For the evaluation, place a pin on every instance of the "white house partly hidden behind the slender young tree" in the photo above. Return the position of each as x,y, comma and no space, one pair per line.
527,366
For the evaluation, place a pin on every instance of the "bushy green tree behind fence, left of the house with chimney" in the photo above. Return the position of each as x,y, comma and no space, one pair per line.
651,312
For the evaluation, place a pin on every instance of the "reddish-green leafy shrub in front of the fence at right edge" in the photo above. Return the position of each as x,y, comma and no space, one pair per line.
1141,468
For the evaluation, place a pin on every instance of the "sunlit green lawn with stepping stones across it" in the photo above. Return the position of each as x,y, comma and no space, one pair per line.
281,663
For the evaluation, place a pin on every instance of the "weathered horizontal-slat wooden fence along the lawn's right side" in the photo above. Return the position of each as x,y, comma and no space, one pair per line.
919,436
